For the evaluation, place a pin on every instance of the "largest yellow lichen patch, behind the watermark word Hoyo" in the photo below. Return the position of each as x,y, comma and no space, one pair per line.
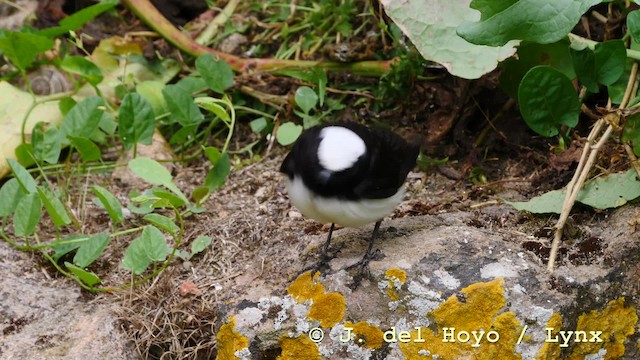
476,309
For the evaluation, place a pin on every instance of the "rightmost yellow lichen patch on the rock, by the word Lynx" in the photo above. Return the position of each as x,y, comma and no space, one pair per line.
616,323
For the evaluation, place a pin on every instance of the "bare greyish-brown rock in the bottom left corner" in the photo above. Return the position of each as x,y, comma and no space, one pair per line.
44,319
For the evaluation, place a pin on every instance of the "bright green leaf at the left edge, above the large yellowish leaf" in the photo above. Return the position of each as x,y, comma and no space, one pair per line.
22,48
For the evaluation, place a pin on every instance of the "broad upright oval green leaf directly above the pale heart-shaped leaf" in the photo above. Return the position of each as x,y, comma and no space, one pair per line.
136,121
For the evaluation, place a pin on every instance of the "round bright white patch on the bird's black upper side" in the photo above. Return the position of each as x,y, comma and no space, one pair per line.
339,148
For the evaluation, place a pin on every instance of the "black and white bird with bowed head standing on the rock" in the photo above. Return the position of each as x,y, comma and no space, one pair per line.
348,174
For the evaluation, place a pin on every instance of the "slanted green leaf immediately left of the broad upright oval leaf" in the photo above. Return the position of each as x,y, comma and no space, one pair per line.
83,119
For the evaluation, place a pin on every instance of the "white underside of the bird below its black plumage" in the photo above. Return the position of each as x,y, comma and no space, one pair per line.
350,213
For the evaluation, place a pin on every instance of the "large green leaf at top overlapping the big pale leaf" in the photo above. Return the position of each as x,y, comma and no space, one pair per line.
541,21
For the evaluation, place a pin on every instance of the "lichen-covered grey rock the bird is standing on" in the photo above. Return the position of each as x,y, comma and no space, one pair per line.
441,289
